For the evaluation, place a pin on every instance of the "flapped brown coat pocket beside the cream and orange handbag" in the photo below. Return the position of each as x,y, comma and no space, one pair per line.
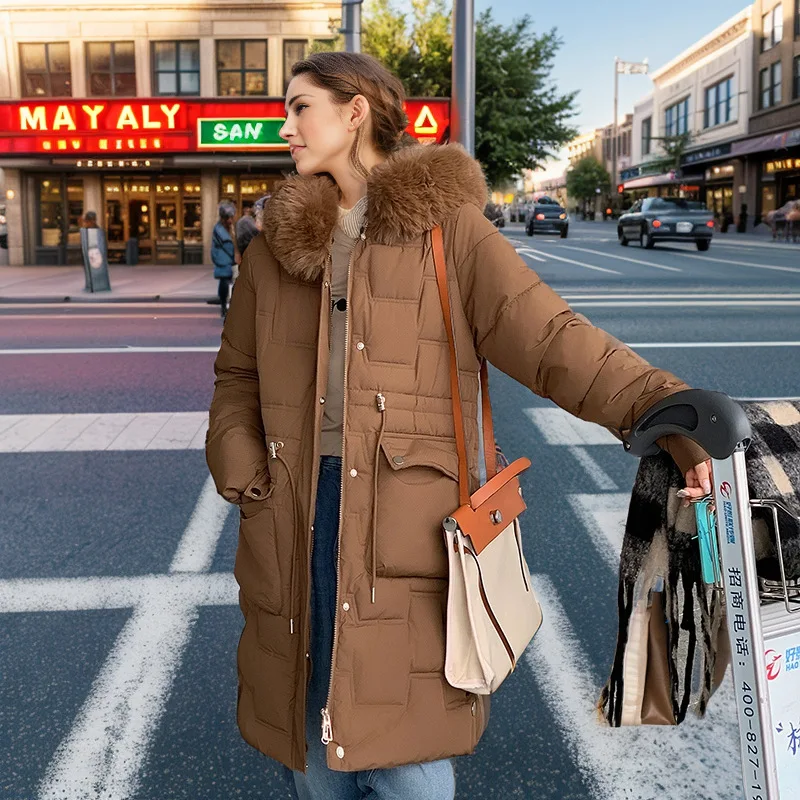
417,489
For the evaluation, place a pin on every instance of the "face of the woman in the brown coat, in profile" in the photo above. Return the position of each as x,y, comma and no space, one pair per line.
320,133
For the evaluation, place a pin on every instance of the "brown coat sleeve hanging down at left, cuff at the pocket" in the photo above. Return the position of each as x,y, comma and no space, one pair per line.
235,443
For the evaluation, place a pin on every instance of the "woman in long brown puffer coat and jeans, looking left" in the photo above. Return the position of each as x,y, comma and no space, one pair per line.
331,427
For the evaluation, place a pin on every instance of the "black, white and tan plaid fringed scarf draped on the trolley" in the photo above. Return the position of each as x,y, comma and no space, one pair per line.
660,554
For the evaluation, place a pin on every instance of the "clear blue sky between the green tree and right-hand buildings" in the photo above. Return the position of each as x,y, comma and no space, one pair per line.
594,31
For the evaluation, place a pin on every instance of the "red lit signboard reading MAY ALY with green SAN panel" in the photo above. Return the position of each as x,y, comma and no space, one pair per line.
116,127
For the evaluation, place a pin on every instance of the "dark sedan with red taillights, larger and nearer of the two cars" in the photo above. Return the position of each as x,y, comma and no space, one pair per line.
666,219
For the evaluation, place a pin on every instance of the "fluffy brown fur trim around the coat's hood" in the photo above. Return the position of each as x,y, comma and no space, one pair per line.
415,189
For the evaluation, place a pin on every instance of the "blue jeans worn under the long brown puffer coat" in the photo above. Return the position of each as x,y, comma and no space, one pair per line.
431,781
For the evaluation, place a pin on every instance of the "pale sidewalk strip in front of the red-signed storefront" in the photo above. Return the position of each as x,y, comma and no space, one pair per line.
145,284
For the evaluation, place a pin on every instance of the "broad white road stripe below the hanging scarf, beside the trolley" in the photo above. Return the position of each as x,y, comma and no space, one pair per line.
641,763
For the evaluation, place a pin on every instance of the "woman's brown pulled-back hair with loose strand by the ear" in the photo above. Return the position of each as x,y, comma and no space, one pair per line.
345,75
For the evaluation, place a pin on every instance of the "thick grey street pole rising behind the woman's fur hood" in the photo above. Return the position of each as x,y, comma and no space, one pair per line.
462,102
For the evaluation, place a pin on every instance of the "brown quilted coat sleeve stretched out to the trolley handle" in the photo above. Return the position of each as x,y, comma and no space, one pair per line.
521,326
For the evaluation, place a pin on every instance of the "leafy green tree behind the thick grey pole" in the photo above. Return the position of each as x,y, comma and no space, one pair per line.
520,117
